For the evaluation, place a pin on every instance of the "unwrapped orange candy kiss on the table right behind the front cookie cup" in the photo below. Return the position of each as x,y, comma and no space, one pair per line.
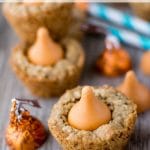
136,91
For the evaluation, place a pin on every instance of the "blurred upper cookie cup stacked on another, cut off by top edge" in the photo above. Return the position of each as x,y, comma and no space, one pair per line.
58,18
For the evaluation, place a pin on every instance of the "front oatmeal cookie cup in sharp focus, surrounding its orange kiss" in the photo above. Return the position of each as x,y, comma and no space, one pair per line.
112,136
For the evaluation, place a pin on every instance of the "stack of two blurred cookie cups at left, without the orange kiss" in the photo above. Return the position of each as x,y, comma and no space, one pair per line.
58,19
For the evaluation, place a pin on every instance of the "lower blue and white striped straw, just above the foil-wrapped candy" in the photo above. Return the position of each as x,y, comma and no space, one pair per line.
124,36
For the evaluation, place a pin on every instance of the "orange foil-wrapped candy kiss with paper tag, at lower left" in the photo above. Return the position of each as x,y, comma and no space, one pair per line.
24,131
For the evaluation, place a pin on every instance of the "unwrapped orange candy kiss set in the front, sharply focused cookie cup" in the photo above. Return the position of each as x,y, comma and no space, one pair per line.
90,112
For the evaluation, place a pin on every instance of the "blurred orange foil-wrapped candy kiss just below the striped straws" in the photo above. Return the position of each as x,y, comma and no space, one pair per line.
114,60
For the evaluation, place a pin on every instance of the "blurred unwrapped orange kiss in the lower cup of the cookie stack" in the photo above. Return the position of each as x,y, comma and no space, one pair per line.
45,51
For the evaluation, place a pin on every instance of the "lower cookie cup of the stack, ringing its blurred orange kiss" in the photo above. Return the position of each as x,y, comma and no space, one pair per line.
46,81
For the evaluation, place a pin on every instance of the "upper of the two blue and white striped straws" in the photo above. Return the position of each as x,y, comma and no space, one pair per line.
121,18
